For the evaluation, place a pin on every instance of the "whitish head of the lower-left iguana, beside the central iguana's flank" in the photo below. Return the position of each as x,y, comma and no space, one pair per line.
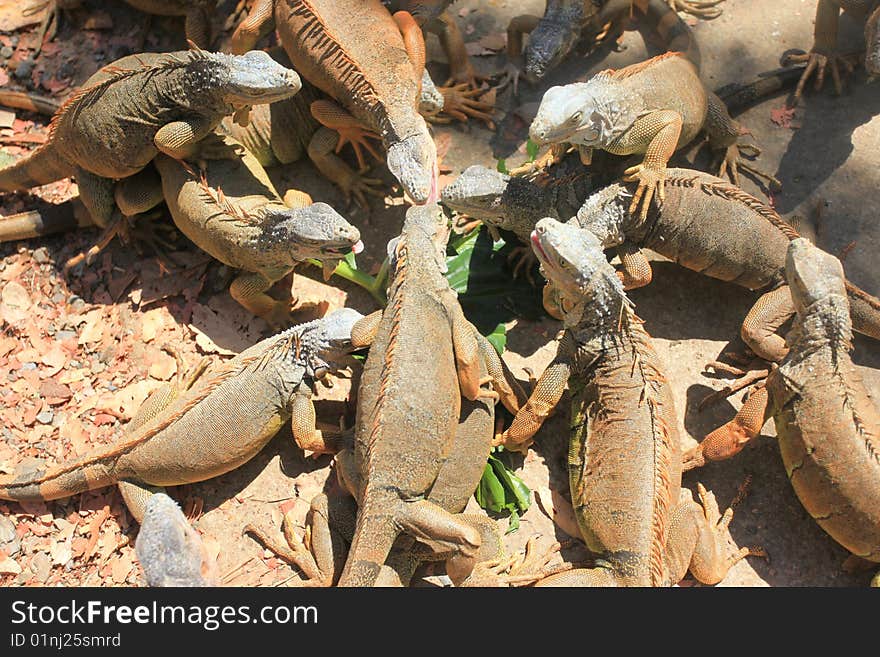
324,343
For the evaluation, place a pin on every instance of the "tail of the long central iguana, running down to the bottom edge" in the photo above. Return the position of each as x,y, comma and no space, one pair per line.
374,534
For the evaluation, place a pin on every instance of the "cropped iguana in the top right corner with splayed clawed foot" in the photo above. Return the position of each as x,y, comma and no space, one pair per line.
824,54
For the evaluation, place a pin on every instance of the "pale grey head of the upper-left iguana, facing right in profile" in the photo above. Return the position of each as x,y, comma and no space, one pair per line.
255,78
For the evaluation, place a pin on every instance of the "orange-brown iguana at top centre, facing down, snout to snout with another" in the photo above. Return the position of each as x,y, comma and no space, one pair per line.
370,63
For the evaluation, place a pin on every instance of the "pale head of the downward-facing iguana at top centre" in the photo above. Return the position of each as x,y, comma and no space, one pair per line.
413,161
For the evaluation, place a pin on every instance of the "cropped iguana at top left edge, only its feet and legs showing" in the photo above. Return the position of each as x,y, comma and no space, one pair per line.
196,12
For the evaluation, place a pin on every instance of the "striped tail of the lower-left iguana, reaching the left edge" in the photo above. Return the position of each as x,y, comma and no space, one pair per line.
79,476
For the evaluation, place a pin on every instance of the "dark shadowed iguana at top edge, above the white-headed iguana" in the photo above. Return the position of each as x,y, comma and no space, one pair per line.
554,36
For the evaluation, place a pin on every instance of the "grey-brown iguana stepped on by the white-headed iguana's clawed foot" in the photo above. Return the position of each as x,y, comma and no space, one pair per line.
714,228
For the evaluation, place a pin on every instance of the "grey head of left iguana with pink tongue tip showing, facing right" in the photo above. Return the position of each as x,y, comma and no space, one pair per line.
316,231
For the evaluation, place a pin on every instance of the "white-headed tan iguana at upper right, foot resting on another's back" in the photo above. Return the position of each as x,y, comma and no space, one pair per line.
651,108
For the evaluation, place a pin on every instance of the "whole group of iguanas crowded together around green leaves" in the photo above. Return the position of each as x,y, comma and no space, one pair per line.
196,129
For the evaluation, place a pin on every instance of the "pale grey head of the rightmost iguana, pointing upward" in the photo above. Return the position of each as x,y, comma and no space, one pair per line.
812,274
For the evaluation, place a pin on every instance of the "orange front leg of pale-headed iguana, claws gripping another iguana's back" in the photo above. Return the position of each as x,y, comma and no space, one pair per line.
664,129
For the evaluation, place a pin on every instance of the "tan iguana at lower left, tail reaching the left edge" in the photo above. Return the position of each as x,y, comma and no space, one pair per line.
207,425
